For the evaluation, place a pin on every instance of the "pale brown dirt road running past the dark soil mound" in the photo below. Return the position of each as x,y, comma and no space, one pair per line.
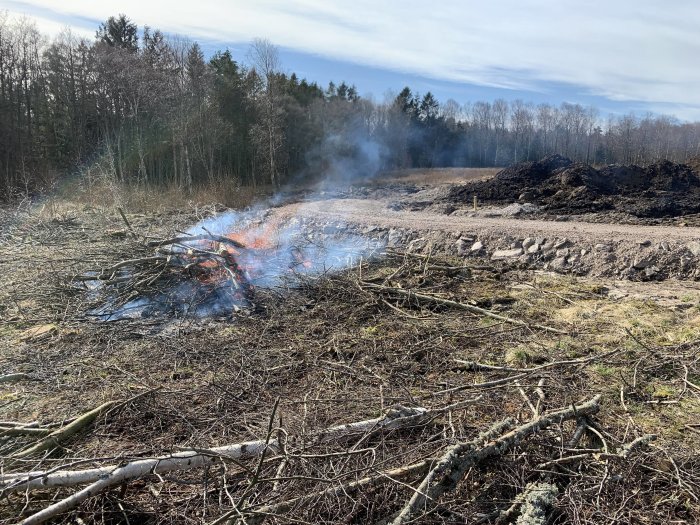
377,213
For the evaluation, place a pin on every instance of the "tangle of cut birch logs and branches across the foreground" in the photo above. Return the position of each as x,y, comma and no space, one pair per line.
255,477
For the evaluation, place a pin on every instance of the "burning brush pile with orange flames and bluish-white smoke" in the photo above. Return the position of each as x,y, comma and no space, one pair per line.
215,267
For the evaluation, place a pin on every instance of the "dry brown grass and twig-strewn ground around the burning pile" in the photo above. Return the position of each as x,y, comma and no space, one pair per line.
335,352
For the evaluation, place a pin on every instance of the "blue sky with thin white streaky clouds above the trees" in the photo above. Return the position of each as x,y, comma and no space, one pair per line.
618,55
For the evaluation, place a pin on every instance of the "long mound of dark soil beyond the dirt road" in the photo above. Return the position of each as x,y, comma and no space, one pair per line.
557,184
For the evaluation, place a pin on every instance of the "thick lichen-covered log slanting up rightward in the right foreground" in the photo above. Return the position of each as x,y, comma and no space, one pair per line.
459,459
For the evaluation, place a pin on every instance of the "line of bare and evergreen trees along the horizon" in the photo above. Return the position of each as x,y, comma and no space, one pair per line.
139,107
